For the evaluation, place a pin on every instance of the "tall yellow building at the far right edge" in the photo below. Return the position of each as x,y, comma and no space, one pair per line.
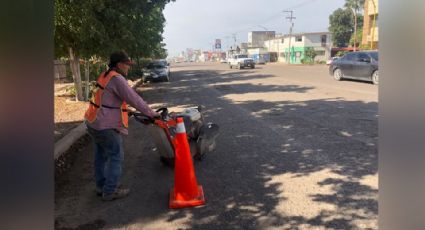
370,24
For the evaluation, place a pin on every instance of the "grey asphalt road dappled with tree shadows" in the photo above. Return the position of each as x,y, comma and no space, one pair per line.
297,150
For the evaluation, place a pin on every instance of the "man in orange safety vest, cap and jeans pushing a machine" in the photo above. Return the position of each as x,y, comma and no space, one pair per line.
106,119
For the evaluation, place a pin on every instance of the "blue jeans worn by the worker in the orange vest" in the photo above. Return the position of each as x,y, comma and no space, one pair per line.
108,158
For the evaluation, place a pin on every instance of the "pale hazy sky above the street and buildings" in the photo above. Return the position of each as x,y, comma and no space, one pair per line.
197,23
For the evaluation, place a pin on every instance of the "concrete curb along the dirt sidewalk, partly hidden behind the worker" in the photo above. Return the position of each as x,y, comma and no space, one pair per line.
63,144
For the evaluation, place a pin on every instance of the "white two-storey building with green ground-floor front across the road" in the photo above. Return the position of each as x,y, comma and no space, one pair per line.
278,47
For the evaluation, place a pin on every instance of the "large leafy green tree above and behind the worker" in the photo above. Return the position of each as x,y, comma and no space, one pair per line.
95,28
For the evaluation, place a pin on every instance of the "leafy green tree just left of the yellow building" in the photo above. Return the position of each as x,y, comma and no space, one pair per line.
341,27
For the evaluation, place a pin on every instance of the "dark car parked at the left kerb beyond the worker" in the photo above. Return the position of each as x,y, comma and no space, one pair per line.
156,71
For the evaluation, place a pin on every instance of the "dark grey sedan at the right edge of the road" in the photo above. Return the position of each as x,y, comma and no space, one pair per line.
361,65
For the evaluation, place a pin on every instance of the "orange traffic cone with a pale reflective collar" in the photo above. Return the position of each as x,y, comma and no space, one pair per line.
186,191
